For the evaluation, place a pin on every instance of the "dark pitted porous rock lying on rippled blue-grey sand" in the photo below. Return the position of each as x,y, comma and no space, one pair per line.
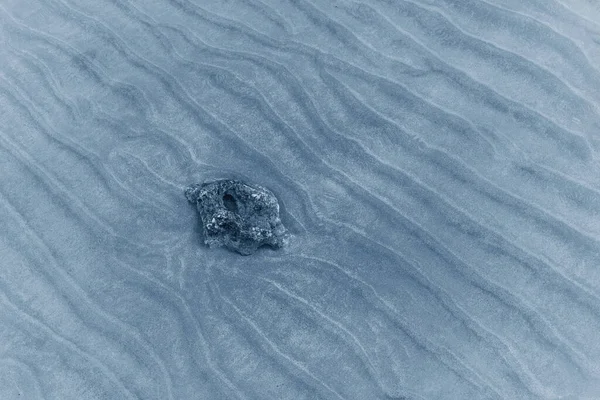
237,215
